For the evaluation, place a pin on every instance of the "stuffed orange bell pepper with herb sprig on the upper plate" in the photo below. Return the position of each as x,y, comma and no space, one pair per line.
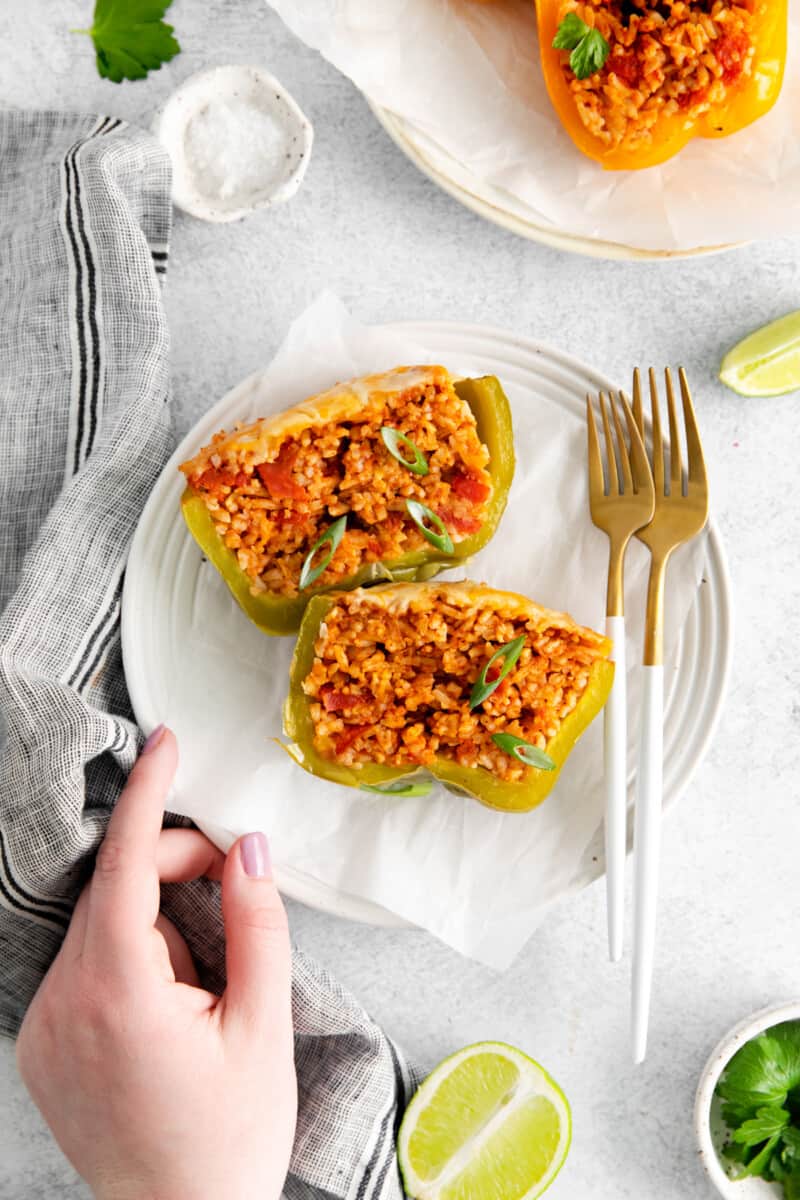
634,81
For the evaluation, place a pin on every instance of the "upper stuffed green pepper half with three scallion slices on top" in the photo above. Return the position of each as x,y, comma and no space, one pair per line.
462,469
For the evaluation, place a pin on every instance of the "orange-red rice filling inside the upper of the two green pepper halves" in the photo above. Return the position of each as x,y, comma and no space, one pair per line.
273,513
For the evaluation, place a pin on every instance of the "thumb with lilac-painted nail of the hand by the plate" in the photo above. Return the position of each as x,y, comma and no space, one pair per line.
258,953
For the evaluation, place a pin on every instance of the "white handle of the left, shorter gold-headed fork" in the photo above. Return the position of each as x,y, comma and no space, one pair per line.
616,771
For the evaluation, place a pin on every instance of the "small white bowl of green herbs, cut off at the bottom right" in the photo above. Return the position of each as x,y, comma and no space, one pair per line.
748,1109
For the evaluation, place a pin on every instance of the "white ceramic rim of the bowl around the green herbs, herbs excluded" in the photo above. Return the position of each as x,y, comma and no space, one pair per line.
709,1127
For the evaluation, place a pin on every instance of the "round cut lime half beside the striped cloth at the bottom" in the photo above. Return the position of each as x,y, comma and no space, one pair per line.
489,1124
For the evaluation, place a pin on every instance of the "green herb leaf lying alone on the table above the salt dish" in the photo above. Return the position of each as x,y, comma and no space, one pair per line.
131,39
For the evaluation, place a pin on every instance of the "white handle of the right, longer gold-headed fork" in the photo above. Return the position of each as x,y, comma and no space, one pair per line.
647,854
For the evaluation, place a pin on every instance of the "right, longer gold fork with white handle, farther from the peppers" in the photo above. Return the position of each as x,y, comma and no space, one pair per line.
681,513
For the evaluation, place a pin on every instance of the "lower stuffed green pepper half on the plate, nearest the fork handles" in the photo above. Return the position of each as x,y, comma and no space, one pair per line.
356,711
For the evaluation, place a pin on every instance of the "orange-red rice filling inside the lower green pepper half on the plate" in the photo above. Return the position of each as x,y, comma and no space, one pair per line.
394,687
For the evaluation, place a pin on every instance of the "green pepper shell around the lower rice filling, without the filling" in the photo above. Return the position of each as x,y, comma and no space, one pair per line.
477,782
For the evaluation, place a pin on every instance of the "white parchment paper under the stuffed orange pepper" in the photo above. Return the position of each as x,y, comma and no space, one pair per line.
468,76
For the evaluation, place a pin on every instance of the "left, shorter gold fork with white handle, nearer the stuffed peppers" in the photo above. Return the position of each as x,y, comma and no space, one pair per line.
619,507
